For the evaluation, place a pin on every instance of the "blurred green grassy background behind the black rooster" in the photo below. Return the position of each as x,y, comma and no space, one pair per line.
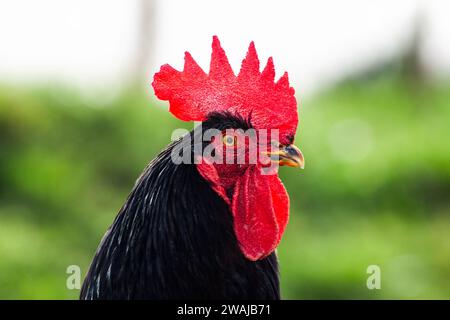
375,190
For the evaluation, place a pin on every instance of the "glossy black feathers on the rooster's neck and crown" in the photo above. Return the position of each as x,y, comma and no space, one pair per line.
174,239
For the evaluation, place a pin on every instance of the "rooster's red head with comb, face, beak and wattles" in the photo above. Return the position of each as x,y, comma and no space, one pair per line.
254,120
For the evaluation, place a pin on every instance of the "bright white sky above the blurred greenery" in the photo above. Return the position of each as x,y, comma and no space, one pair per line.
92,43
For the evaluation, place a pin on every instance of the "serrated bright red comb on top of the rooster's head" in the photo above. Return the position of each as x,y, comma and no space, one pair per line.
193,94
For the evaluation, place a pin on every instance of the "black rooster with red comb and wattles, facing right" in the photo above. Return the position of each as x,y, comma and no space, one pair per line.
202,228
